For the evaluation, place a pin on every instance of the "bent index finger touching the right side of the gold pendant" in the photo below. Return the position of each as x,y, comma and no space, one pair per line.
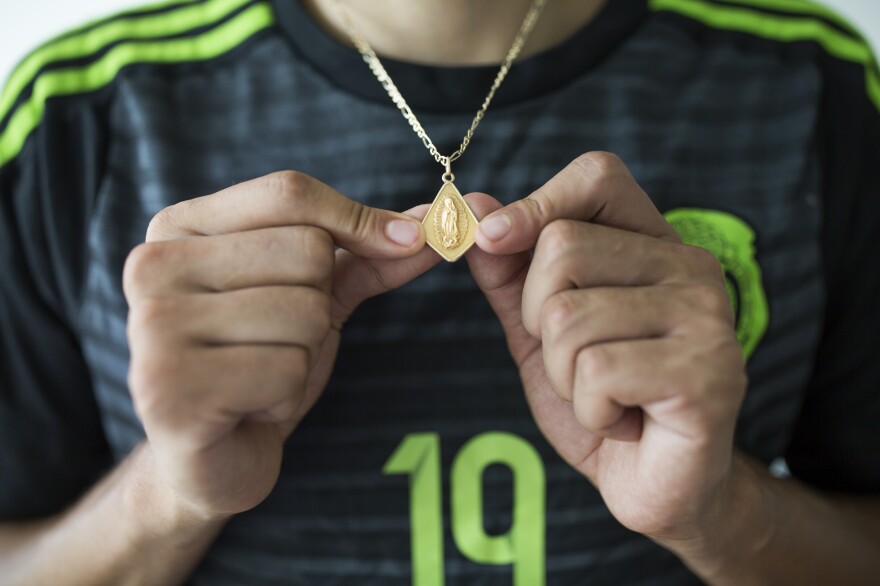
596,187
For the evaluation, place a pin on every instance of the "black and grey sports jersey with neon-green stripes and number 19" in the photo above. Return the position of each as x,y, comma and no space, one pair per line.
752,124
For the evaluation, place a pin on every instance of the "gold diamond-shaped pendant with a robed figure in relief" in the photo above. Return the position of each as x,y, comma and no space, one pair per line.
450,225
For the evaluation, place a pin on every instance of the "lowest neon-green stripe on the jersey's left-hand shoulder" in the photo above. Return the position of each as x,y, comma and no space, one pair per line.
91,77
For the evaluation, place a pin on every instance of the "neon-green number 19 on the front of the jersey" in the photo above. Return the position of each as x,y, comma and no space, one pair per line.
522,545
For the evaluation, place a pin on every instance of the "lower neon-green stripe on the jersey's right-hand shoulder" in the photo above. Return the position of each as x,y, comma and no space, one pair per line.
780,28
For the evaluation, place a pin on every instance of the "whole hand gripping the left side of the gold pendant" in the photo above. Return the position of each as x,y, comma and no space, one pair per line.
236,303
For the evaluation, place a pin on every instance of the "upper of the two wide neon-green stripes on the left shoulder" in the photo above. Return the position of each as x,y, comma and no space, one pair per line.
91,40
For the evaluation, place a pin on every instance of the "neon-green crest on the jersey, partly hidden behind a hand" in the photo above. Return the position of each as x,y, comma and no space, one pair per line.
731,240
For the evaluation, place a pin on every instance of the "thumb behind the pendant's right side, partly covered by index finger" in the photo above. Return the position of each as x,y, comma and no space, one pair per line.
501,278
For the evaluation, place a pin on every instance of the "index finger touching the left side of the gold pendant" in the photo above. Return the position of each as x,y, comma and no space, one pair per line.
291,198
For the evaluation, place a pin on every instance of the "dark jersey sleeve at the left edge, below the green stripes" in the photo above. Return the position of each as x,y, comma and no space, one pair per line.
52,446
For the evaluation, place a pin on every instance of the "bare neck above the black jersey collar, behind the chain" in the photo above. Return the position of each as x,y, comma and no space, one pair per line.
453,32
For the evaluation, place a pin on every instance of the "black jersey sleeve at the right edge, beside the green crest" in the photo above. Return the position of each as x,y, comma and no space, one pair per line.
836,442
